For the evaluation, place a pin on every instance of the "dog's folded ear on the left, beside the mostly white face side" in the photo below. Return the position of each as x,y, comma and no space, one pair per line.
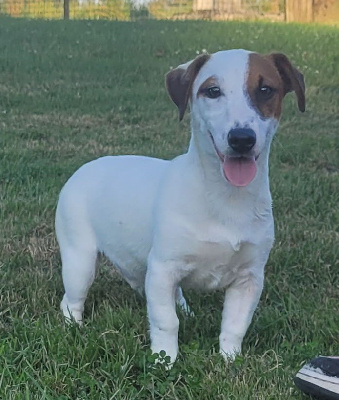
180,80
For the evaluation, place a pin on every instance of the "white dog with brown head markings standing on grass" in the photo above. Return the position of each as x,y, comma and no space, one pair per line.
202,220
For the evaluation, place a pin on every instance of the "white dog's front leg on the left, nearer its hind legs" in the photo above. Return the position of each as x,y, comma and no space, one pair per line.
160,290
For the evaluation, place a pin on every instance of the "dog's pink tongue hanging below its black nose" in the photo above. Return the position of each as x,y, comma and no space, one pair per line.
239,171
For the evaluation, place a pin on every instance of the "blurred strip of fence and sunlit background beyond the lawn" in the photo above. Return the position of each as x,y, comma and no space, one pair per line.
322,11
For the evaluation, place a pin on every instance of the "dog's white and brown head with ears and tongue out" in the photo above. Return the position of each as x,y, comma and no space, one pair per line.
236,102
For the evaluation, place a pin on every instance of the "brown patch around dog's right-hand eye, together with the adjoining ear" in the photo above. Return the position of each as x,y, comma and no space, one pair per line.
270,77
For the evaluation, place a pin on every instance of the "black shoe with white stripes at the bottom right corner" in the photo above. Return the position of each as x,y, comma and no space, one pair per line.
320,378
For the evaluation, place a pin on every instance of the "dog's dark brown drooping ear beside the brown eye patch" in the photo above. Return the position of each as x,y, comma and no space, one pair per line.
293,79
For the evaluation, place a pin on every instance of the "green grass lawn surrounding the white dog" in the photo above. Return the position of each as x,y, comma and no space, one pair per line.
74,91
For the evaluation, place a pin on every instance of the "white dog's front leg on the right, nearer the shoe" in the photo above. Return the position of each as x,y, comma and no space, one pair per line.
241,300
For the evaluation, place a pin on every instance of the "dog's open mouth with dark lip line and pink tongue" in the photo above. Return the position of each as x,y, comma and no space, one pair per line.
239,170
